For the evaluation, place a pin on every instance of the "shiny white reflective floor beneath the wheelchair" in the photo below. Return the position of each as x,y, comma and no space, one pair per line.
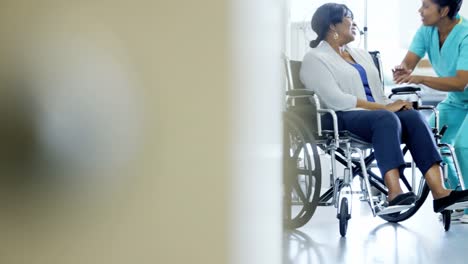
420,239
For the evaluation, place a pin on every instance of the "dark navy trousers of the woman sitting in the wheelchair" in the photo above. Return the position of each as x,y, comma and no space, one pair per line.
386,131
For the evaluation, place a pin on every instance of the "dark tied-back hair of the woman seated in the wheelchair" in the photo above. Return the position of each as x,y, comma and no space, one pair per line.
325,16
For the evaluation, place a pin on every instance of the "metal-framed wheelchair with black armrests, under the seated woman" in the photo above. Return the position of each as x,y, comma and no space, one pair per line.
304,139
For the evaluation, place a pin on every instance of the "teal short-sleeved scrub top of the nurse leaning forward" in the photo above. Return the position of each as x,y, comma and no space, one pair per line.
451,57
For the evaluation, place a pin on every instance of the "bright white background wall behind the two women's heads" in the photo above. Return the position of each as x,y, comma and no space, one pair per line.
391,25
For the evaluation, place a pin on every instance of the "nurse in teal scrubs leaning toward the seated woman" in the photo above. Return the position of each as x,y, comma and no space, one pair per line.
444,37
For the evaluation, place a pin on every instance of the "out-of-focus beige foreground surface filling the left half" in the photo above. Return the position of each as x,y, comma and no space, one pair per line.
167,205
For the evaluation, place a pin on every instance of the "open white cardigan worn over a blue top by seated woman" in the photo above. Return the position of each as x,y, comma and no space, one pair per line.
336,82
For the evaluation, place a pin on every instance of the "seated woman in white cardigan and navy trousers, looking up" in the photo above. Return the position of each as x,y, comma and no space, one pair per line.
347,81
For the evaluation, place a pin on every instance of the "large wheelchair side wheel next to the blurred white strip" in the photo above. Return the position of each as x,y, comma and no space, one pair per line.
302,179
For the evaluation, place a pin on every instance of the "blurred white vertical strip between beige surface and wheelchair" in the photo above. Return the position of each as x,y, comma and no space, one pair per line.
257,96
